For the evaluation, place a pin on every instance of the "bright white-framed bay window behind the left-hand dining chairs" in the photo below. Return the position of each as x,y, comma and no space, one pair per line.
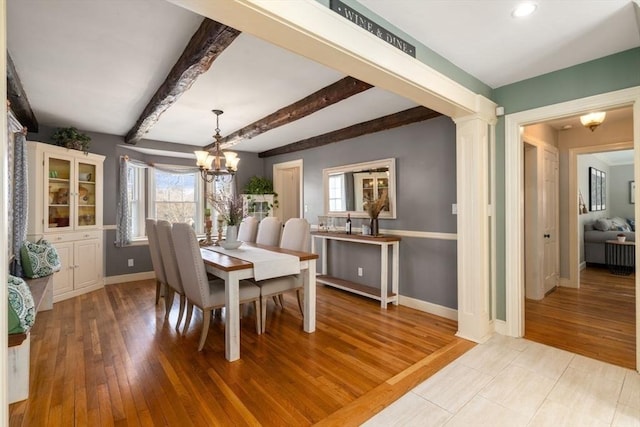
171,193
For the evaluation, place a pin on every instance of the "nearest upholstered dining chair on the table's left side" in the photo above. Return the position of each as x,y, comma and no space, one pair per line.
205,294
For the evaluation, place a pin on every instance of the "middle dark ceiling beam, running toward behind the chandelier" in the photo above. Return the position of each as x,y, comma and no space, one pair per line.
336,92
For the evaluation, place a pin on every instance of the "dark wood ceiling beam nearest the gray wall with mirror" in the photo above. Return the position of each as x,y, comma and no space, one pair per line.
412,115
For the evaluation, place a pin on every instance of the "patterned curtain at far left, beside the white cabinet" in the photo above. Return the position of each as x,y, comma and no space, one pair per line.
20,199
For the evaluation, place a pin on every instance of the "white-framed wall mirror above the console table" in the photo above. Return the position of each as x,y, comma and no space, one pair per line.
347,187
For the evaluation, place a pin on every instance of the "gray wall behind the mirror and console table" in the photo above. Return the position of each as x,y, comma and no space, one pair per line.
426,189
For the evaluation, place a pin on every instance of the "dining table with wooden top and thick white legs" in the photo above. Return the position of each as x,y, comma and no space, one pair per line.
233,269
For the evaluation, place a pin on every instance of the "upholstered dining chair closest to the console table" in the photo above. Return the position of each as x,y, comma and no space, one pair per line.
295,236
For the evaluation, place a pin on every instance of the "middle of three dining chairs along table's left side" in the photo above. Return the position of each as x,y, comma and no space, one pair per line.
170,263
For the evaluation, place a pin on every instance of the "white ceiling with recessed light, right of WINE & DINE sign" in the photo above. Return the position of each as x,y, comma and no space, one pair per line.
482,38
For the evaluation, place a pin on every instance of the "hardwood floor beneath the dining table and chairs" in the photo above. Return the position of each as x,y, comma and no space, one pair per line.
107,358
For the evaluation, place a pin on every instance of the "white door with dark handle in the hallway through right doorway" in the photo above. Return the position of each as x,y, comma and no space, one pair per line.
550,218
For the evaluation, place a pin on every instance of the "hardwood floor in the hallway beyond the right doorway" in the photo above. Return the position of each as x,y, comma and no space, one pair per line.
597,320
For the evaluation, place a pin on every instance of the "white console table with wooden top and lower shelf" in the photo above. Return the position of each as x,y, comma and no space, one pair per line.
382,294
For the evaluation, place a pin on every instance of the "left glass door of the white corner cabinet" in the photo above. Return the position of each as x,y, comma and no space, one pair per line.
58,208
